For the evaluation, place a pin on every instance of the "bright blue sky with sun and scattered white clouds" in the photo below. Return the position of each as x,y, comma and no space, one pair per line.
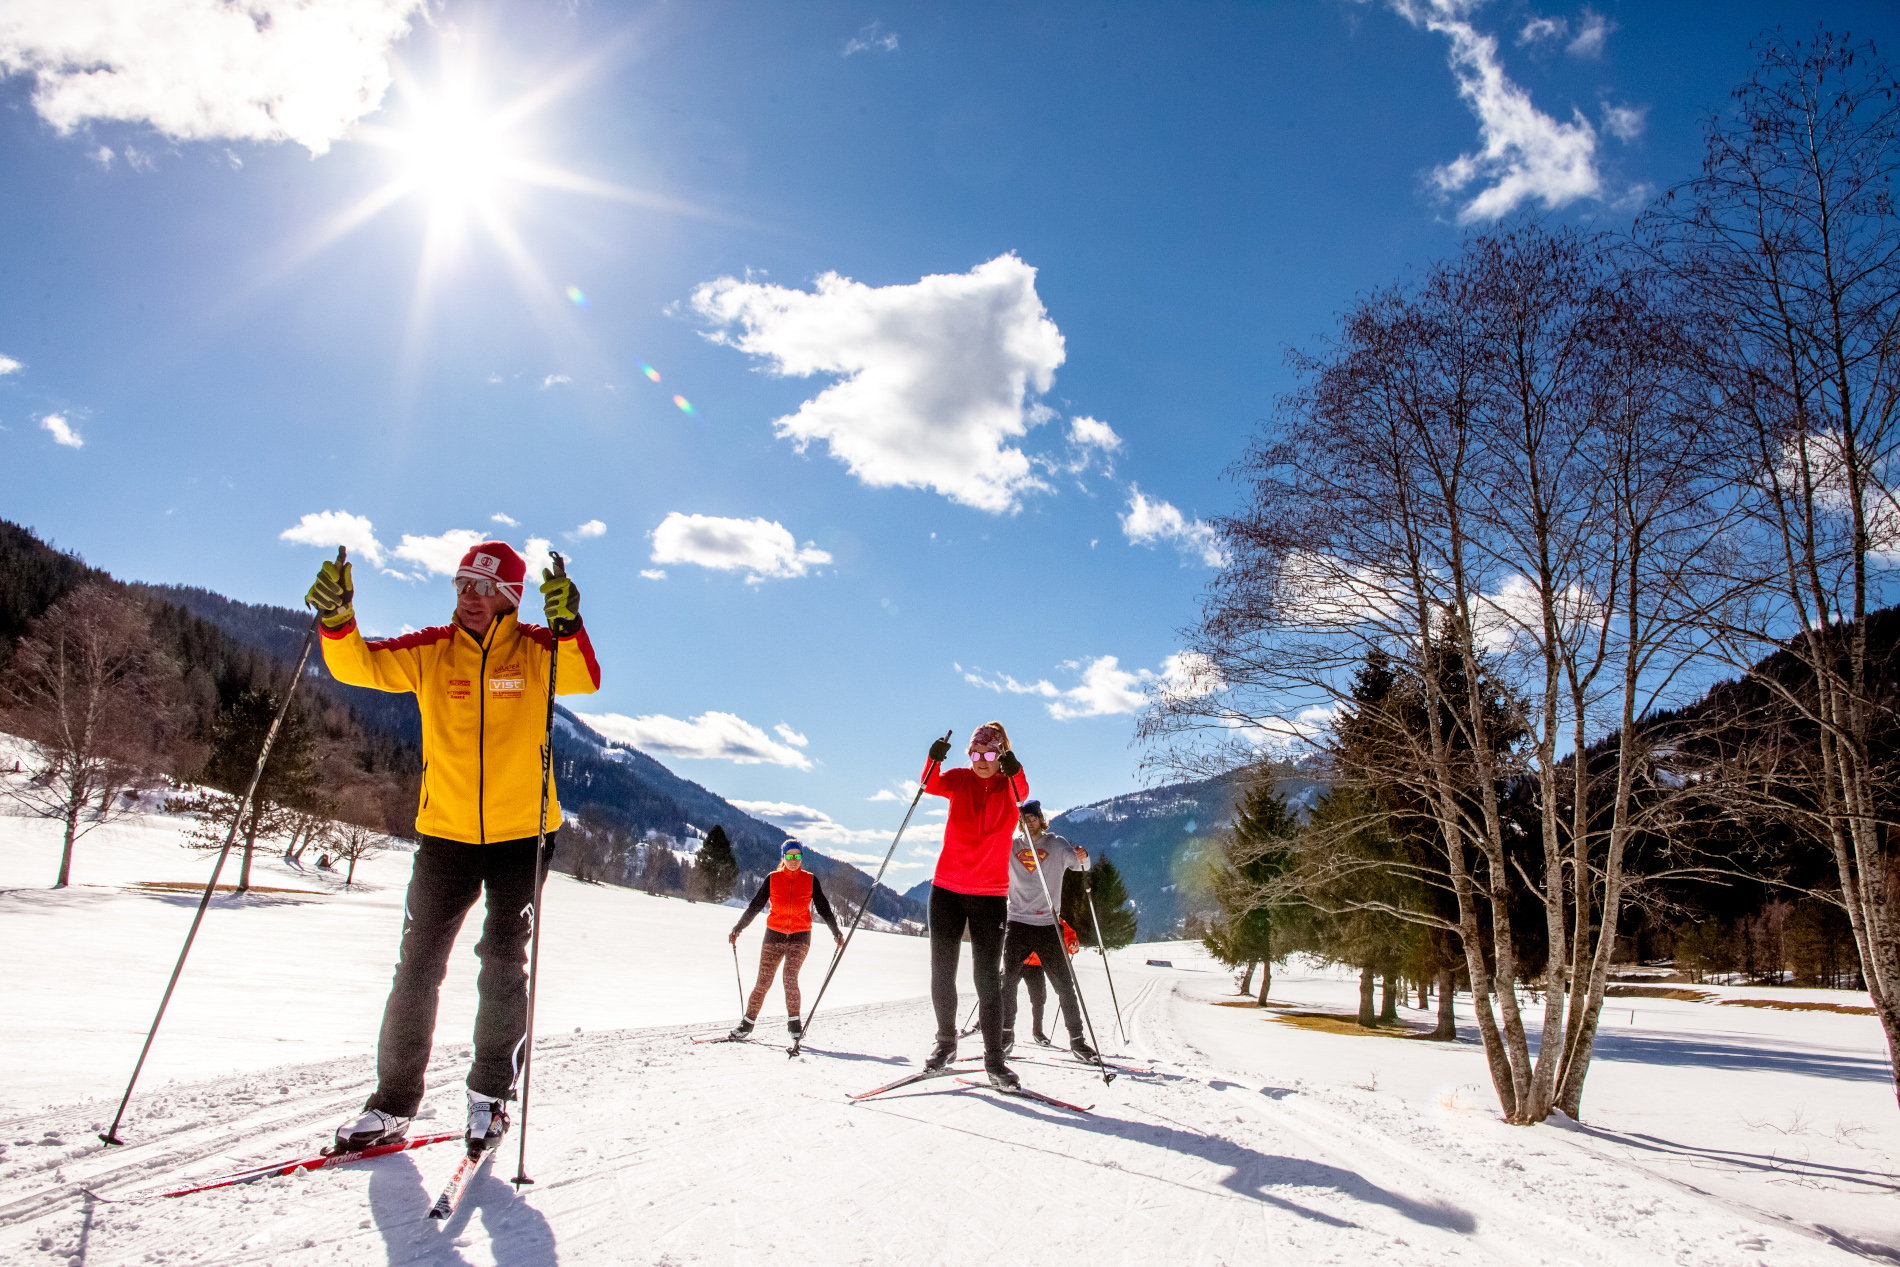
972,305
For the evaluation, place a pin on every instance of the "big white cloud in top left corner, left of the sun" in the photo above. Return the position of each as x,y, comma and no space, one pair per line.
208,69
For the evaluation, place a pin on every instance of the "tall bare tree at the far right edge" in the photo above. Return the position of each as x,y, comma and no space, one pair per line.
1791,248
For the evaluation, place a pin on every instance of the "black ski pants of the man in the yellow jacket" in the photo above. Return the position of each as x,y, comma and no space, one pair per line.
442,890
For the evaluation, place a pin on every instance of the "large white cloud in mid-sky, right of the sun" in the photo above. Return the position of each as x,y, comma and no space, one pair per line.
934,379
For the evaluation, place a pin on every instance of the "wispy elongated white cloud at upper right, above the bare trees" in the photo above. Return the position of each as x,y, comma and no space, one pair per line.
1527,153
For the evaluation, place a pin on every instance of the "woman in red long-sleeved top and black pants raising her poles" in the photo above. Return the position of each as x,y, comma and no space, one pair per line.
972,888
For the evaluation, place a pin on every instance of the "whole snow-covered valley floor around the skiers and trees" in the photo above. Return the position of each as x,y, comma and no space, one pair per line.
1717,1135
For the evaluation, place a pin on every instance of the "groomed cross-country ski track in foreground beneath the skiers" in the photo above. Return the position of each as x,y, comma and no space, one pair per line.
655,1150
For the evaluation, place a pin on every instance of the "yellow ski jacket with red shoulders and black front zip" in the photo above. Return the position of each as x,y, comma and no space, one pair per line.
484,706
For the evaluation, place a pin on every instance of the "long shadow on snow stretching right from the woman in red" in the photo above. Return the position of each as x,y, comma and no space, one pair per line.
1251,1175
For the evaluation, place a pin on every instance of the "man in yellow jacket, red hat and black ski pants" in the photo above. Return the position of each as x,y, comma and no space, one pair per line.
482,685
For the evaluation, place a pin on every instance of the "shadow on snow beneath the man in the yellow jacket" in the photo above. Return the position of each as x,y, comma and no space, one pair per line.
400,1205
